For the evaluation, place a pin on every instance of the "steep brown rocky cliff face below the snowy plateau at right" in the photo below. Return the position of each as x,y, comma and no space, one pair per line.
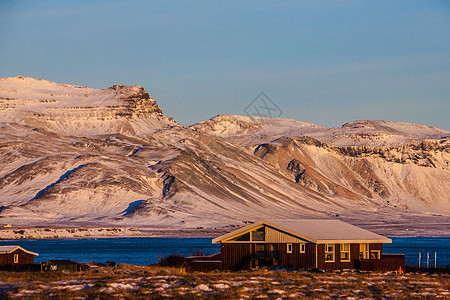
400,174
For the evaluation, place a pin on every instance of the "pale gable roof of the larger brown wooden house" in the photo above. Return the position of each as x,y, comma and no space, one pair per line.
315,231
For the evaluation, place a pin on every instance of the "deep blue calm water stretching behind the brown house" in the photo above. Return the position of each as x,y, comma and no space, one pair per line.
145,251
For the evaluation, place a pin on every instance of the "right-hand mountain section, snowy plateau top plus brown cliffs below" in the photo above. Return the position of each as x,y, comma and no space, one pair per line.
368,163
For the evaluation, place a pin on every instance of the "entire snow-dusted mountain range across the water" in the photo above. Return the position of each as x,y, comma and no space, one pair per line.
74,155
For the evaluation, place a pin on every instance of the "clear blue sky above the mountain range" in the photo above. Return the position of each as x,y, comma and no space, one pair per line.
325,62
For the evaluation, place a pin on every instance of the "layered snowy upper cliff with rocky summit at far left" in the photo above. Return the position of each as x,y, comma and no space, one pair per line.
75,110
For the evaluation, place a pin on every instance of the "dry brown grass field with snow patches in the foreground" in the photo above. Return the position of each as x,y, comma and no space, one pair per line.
137,282
